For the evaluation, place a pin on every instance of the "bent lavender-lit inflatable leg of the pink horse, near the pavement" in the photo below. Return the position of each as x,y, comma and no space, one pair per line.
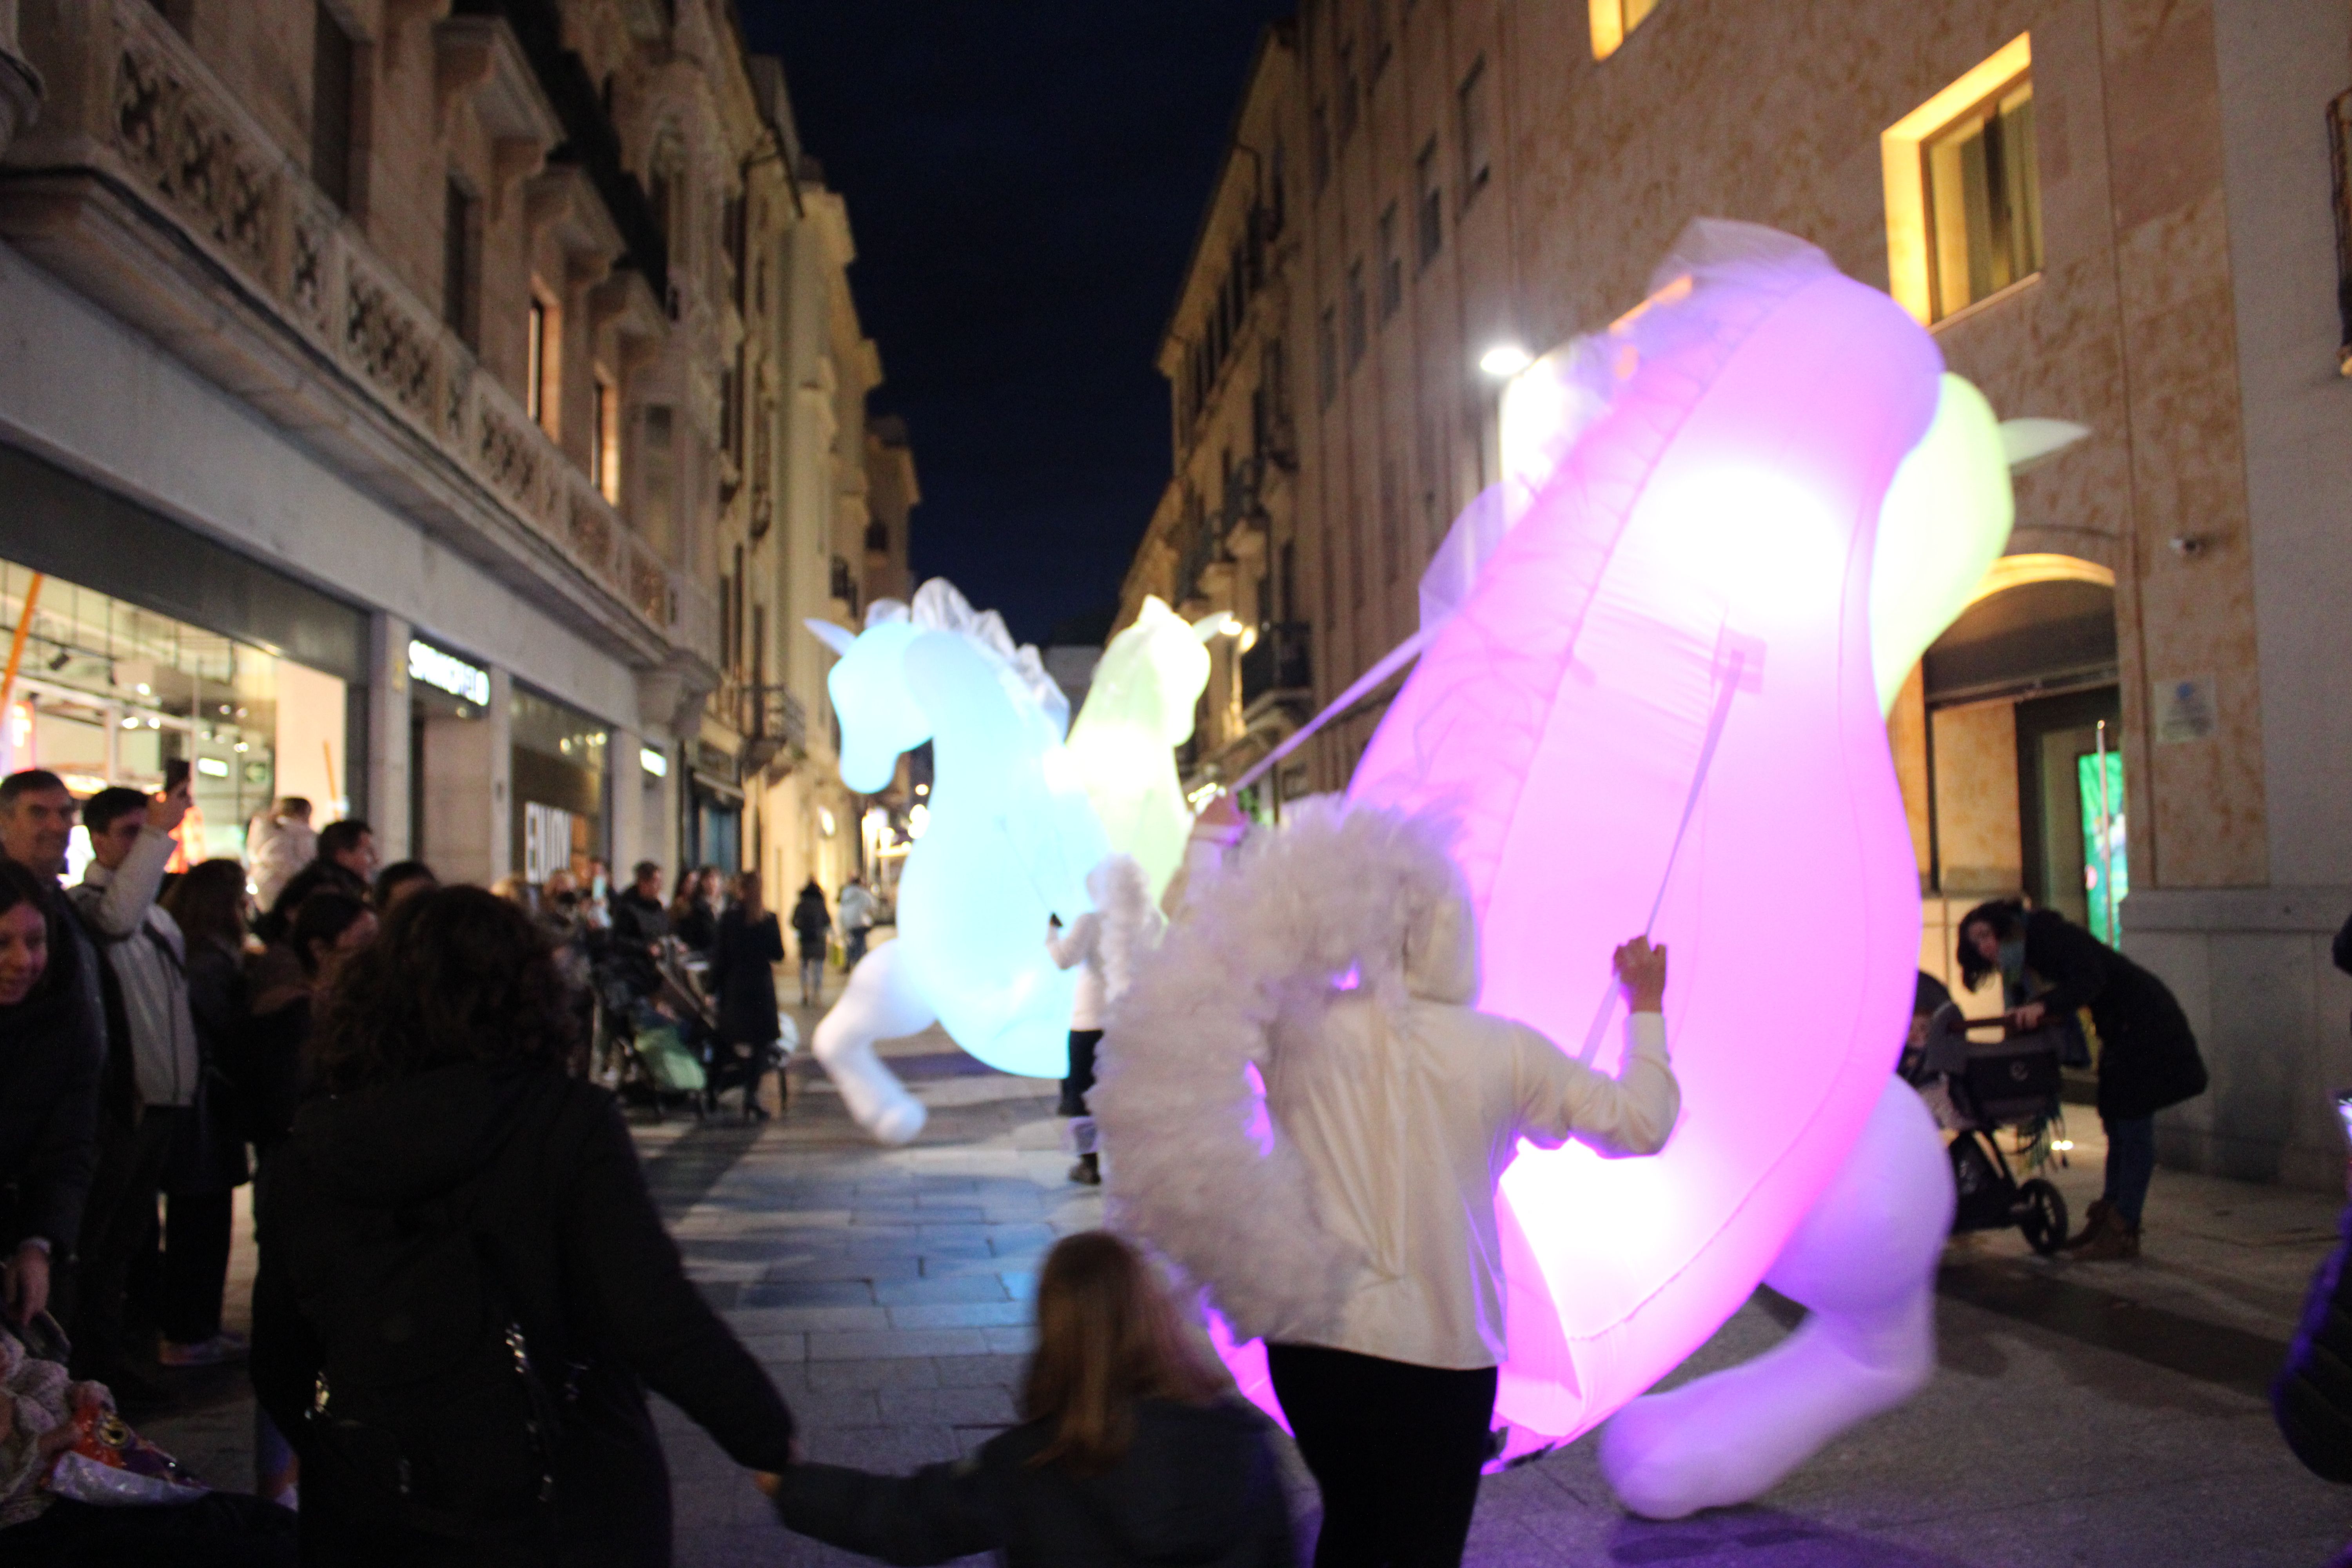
1864,1266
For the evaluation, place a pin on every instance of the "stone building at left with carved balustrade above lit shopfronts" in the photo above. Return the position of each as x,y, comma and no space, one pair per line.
399,410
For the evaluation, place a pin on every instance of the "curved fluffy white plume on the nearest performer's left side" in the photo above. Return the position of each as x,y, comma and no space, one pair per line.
1198,1170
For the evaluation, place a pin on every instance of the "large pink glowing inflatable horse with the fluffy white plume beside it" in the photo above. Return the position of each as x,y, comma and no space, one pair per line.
1652,688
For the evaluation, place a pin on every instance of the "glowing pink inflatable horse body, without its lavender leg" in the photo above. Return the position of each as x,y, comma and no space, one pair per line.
1704,549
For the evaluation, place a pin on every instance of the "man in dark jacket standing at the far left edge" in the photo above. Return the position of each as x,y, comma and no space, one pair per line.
51,1057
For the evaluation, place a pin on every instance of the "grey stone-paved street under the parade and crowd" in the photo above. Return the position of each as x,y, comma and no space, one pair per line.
2085,1414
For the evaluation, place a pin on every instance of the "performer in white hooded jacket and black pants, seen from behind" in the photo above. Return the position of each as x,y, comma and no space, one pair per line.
1408,1120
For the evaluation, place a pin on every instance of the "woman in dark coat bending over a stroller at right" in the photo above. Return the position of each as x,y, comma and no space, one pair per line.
2146,1050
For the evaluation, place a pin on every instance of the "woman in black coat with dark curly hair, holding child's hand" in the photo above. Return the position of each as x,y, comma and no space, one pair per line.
465,1282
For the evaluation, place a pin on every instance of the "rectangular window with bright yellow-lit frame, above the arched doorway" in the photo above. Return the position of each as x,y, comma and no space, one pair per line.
1965,189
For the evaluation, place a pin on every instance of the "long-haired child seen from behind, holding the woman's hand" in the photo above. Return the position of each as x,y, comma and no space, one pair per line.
1125,1452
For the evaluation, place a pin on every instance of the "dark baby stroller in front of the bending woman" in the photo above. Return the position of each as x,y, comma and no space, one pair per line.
2007,1083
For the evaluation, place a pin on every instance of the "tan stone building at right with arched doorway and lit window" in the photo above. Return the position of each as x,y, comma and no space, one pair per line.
2111,213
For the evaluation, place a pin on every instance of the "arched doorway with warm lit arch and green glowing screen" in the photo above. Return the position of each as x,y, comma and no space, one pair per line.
2024,770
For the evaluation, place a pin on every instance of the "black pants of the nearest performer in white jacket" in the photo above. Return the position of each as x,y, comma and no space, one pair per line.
1396,1452
